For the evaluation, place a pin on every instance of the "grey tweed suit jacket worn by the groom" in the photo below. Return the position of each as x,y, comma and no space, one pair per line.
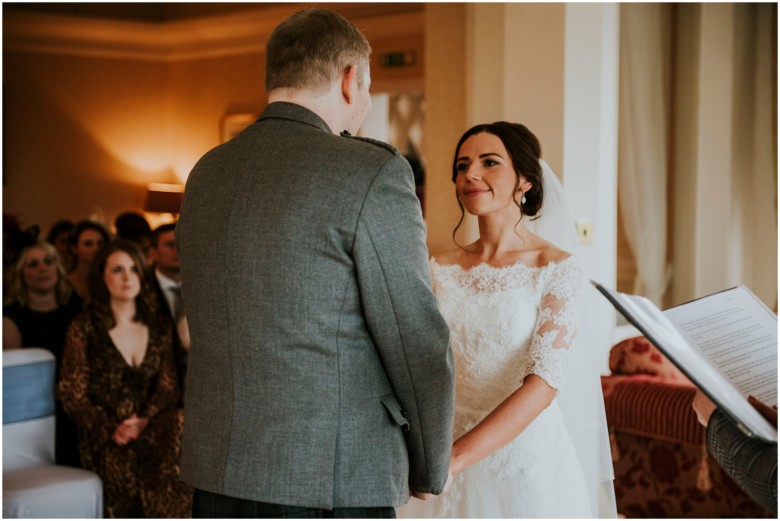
320,372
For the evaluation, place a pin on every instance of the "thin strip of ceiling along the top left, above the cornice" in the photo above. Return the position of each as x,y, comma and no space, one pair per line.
162,12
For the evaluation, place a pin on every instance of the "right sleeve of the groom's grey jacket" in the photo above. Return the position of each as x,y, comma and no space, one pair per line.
403,318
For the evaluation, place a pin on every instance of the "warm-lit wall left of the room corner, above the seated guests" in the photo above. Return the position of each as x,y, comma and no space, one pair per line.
81,136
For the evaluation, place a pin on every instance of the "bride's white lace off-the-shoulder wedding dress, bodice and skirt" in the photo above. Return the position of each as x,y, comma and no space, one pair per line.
507,323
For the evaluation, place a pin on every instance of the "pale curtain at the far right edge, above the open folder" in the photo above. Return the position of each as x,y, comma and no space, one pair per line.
754,173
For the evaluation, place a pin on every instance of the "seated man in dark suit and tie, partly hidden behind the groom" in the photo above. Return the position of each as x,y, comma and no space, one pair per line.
166,267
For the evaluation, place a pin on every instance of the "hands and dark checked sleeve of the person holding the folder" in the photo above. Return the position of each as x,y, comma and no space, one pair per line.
750,461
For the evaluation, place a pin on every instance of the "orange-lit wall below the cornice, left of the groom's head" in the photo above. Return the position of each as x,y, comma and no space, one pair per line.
88,134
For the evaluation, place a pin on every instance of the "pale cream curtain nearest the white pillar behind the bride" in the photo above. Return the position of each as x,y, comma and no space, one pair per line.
643,128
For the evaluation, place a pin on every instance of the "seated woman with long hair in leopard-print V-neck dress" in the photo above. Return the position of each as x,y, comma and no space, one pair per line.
118,382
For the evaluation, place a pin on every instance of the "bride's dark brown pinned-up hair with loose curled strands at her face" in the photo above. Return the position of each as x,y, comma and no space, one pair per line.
524,150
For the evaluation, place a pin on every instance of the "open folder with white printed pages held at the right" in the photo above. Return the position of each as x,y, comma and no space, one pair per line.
726,343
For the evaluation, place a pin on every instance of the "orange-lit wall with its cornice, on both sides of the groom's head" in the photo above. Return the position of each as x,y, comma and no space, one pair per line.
94,110
